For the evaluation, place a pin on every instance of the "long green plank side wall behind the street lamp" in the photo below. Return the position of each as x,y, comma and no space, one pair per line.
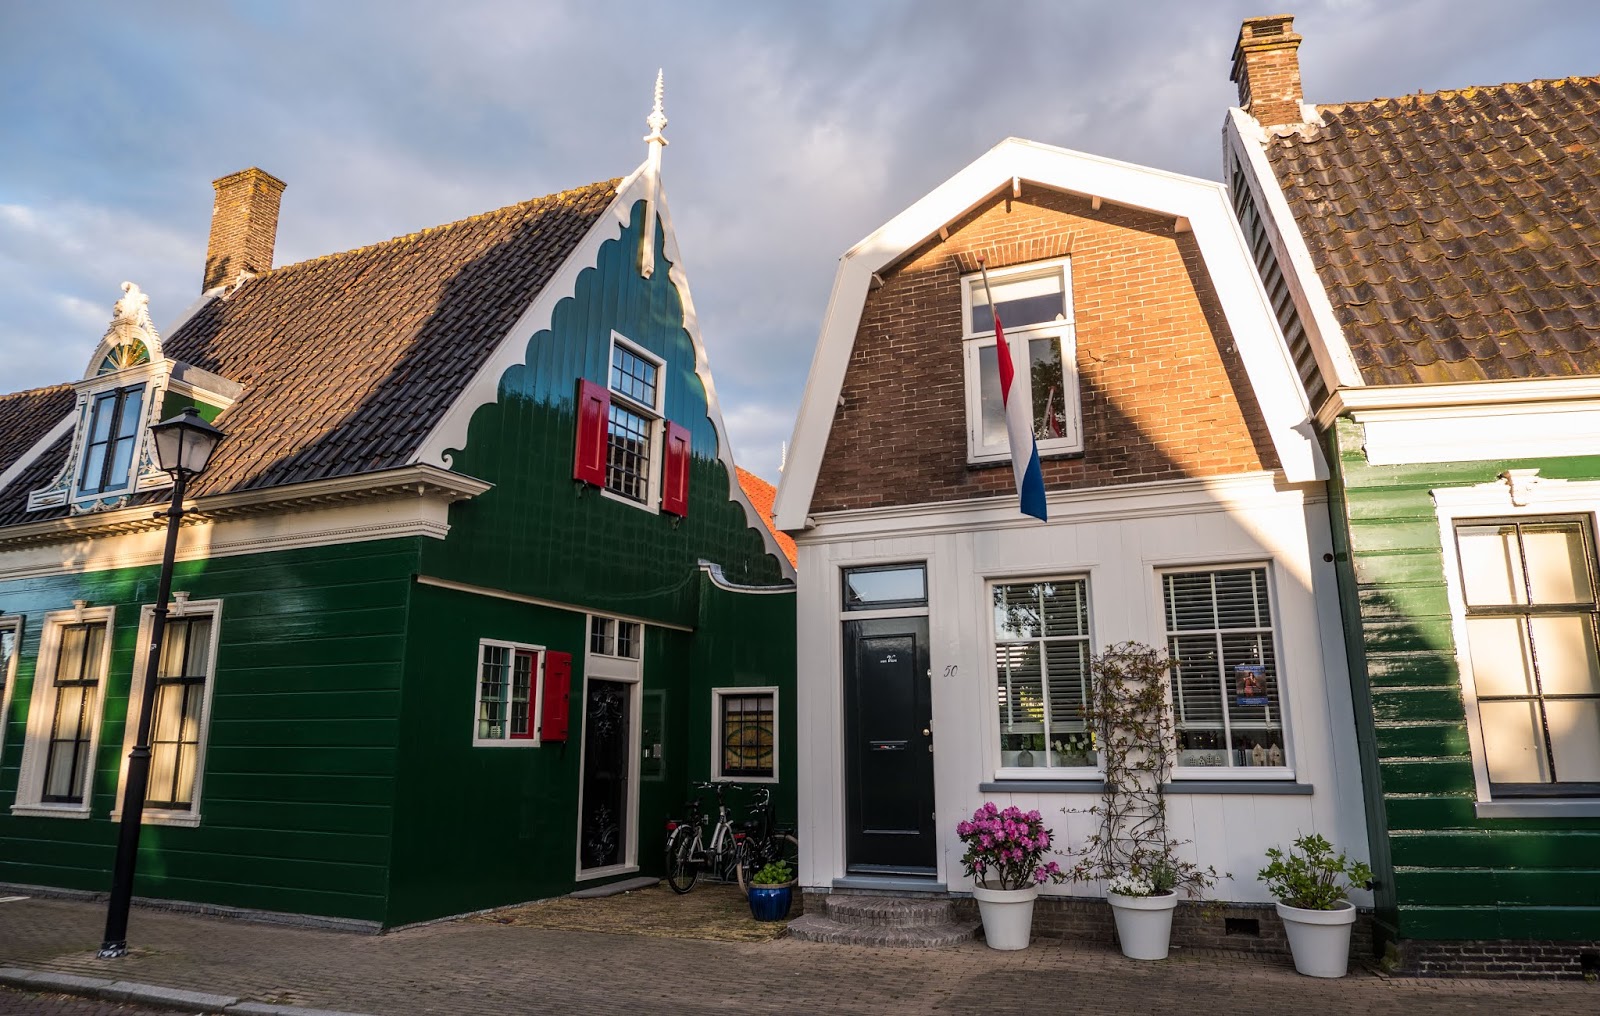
298,791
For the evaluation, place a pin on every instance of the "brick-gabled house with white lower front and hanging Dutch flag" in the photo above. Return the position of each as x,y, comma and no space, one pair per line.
1183,482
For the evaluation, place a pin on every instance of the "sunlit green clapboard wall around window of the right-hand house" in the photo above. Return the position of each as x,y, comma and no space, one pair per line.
1454,874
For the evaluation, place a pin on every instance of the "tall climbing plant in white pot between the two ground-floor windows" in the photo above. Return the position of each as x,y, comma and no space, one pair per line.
1132,850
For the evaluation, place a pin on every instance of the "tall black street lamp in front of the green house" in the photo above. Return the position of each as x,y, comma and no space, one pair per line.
183,449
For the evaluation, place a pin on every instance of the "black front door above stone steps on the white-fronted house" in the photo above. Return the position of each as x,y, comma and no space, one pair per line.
889,748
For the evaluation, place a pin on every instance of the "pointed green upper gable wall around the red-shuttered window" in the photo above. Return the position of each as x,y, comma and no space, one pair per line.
542,534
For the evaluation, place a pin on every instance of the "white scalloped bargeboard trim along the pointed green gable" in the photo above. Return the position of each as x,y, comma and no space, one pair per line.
450,433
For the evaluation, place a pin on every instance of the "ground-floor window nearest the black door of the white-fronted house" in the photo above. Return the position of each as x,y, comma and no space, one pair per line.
1042,652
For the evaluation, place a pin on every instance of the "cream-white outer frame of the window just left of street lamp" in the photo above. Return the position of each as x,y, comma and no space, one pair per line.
42,713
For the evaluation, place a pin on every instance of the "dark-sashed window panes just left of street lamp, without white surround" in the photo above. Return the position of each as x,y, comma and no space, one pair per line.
78,681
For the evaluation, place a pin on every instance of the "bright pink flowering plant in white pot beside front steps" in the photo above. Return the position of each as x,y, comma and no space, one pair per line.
1006,860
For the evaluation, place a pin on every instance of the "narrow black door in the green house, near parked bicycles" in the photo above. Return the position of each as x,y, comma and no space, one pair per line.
604,830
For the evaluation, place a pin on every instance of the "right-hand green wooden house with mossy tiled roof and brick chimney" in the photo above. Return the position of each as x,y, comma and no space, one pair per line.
1436,265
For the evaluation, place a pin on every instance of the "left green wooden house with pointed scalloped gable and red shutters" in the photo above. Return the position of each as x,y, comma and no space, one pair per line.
468,598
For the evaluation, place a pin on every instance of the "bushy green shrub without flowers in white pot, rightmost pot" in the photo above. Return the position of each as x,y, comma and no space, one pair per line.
1313,886
